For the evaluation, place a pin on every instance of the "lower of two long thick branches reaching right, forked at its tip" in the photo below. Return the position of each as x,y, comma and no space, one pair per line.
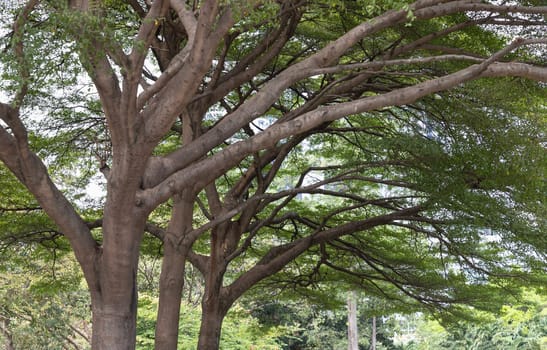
205,171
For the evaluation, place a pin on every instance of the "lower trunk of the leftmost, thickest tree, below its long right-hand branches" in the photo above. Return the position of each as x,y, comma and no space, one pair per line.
114,298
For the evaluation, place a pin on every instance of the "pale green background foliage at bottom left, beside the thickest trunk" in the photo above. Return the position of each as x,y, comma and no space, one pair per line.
42,300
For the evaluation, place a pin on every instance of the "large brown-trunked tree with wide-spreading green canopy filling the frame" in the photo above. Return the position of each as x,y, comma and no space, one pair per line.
293,142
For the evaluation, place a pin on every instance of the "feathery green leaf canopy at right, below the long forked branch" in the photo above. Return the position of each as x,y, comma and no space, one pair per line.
481,169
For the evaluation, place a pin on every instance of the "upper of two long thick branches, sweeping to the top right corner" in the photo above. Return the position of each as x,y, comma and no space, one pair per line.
159,169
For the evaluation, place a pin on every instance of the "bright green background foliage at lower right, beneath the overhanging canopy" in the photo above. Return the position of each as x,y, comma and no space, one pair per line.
318,326
